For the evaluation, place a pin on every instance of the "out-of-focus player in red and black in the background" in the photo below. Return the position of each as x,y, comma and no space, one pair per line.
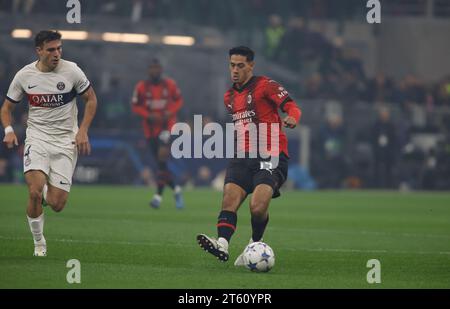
157,100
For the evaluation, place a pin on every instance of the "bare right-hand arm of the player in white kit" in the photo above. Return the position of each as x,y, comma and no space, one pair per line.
82,139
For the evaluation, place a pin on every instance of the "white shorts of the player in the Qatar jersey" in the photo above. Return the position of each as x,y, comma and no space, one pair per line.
58,163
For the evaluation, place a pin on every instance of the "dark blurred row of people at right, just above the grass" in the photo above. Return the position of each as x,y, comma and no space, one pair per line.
388,152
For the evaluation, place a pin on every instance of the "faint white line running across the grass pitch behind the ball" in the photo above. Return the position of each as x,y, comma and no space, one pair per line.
142,243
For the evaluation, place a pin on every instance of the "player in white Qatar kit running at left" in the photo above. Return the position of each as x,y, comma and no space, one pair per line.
53,139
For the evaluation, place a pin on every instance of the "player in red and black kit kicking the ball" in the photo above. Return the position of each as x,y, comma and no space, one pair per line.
252,99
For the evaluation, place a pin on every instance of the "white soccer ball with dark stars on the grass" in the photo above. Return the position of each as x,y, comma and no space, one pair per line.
259,257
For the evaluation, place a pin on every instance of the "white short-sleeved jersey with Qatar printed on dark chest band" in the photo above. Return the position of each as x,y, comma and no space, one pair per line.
52,100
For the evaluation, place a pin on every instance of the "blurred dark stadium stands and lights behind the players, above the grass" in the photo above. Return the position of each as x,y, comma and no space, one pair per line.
346,74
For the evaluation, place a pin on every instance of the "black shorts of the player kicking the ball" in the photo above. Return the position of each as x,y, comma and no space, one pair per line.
250,172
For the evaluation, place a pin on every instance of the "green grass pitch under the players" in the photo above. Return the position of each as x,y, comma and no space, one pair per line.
321,240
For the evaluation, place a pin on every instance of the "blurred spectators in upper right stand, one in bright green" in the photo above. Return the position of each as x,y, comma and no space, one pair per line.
334,71
